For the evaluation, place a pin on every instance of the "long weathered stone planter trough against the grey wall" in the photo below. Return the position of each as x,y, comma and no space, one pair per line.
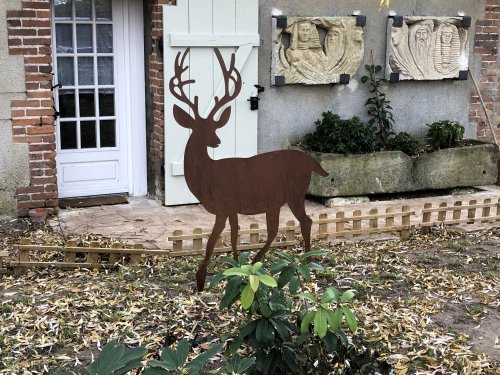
395,172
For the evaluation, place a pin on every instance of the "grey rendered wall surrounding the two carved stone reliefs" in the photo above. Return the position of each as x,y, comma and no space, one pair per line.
287,113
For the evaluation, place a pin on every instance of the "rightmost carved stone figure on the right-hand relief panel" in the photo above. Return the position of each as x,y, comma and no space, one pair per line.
447,51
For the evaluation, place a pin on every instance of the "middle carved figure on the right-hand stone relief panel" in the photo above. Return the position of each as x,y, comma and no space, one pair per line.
422,45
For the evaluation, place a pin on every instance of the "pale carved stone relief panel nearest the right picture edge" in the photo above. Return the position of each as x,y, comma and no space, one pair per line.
427,48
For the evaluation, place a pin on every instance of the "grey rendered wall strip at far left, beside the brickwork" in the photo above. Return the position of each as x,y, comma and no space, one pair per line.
14,159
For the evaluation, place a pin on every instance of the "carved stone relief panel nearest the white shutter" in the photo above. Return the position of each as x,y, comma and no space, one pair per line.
315,50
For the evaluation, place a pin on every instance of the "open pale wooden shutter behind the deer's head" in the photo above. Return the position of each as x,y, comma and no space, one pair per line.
201,25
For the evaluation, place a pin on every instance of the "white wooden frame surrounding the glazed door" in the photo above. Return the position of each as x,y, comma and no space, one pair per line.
130,95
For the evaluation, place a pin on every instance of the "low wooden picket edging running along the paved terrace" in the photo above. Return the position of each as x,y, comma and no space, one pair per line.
339,226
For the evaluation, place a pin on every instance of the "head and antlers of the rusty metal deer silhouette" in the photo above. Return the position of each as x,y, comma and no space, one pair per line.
204,128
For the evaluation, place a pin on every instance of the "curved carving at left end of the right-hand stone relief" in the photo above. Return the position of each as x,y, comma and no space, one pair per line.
401,60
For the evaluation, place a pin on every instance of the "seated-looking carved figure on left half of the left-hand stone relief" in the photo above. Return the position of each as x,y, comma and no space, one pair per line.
305,55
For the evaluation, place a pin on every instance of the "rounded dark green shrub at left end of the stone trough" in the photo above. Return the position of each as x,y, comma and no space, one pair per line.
338,136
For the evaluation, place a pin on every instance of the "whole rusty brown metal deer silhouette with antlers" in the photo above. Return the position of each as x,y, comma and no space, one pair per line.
226,187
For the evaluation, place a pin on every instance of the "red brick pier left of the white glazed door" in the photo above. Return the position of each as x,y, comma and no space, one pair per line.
29,35
